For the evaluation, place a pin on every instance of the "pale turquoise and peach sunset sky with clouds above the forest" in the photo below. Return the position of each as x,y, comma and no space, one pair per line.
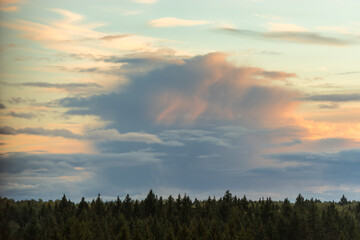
258,97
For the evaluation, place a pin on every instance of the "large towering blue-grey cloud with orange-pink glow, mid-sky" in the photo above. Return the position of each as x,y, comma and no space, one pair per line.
202,88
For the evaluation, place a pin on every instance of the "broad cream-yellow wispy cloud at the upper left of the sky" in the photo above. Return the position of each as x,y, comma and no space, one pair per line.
72,34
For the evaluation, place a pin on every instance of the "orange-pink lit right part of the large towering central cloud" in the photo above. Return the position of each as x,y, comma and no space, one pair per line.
215,89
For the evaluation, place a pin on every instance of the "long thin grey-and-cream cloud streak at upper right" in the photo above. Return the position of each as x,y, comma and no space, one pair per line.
294,35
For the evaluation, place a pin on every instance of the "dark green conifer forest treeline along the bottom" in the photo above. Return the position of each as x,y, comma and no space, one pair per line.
182,218
